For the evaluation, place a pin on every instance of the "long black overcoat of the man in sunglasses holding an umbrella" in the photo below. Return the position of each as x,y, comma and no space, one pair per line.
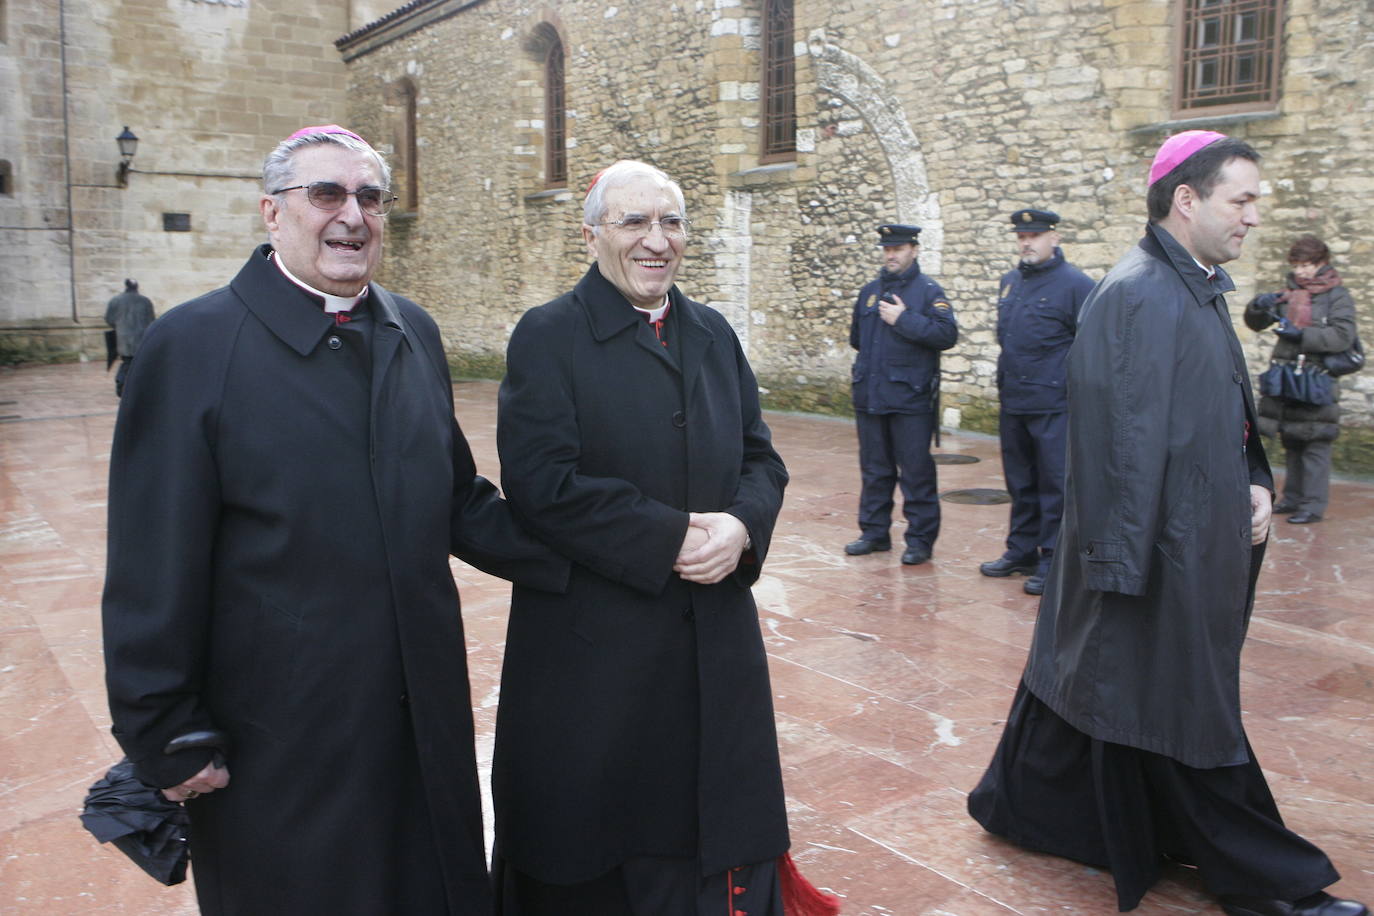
282,507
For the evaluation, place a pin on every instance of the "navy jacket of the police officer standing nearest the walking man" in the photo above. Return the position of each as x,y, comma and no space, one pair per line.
1038,312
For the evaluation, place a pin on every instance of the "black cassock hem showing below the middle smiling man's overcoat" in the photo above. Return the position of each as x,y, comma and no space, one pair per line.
644,886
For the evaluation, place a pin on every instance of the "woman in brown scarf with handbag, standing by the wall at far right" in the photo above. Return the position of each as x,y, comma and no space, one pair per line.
1316,319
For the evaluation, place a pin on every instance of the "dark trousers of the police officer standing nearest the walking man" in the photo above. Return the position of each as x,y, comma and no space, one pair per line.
1034,453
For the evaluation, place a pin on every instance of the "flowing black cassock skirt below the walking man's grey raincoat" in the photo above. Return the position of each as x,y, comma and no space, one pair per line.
1055,790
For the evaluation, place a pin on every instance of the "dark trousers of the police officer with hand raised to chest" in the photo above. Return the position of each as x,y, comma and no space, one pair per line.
897,448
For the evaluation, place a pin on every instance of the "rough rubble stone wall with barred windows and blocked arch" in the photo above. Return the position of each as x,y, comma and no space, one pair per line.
951,116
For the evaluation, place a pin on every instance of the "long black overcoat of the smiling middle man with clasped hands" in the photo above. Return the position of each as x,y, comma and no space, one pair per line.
635,715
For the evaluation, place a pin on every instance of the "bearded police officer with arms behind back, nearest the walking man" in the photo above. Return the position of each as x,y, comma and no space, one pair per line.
1038,310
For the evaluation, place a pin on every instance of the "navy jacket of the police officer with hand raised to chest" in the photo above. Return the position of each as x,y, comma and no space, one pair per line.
898,369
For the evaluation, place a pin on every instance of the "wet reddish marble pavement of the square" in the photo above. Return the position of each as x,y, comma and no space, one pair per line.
892,683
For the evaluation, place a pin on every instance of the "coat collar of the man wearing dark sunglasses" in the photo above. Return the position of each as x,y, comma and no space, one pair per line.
292,314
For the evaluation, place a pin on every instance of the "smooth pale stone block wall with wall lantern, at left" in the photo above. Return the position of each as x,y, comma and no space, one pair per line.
208,86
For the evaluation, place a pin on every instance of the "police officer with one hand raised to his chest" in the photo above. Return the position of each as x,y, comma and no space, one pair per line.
902,321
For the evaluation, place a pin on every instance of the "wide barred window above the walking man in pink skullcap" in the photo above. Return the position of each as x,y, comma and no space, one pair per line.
1229,56
